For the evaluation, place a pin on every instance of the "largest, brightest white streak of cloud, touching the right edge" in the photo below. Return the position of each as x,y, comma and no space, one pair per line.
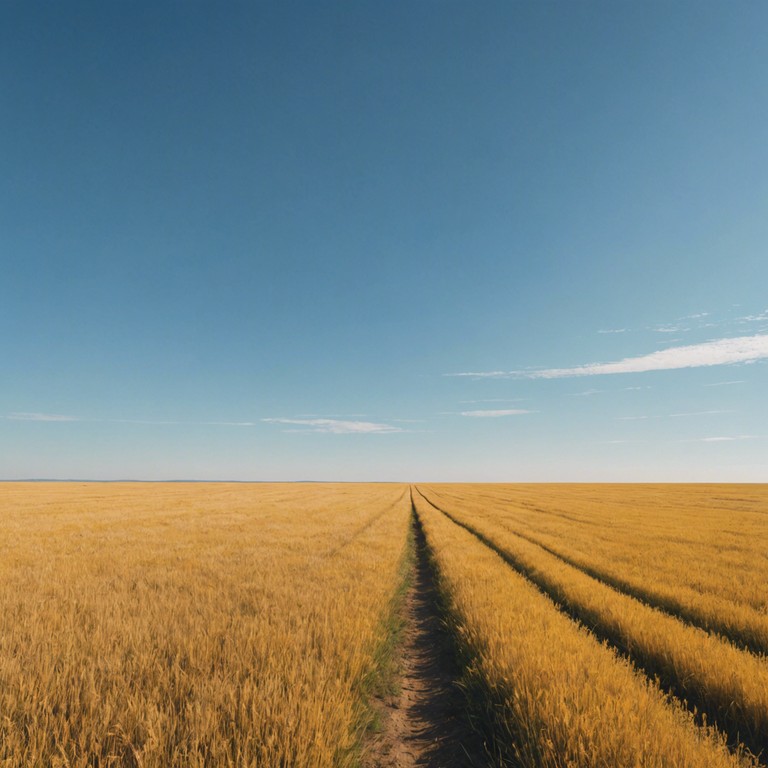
743,349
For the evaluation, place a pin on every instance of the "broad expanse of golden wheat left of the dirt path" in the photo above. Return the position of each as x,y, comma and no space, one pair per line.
192,625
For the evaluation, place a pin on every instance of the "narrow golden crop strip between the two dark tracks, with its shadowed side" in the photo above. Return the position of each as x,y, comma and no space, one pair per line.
726,683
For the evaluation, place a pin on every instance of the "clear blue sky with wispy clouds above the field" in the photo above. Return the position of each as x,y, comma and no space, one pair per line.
384,241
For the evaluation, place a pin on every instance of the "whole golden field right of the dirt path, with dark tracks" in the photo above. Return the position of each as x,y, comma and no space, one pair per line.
582,605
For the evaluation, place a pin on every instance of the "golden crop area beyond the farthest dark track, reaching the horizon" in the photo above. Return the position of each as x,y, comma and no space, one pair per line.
693,552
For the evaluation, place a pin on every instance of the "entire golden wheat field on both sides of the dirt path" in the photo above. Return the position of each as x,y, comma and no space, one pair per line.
253,624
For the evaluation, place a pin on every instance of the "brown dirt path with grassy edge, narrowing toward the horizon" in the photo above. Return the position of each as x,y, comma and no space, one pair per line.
425,724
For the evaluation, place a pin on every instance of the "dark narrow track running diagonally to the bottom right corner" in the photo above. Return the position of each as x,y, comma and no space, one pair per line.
756,742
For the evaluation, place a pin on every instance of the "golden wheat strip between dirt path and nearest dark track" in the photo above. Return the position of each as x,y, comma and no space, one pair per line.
555,695
